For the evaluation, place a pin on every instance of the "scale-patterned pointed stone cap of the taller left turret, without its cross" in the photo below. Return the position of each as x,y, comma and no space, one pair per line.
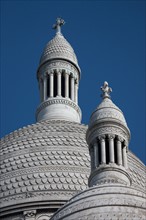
59,48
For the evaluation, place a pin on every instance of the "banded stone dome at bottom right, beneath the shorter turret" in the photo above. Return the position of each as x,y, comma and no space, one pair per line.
107,201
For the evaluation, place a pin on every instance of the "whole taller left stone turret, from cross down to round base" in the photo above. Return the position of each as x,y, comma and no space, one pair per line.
58,77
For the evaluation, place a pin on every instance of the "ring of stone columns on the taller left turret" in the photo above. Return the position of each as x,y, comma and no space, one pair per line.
59,83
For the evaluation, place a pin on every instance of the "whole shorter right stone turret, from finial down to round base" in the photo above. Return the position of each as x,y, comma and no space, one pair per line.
108,137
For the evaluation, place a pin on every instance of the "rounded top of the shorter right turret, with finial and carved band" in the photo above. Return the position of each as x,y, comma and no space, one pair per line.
107,119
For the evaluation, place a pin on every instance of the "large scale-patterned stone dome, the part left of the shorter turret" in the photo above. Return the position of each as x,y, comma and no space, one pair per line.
43,163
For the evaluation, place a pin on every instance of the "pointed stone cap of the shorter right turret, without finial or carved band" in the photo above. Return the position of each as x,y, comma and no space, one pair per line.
107,110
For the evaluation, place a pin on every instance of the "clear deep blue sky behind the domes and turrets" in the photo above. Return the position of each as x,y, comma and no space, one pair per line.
109,40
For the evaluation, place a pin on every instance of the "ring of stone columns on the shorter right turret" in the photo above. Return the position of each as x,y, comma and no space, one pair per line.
109,149
